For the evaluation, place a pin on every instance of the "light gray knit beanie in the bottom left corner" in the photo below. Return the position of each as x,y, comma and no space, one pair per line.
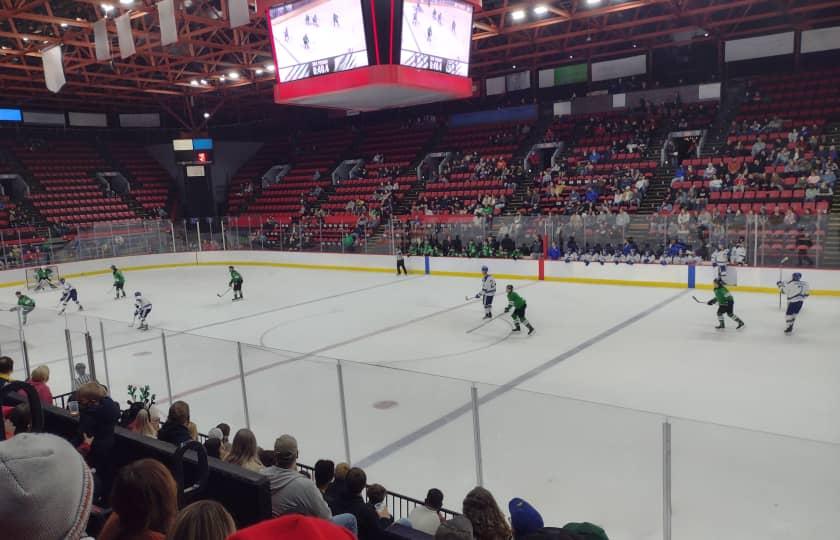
47,488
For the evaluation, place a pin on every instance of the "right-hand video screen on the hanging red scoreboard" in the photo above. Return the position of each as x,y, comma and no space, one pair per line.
436,35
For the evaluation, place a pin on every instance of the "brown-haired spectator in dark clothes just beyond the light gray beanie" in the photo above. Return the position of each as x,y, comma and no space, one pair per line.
98,416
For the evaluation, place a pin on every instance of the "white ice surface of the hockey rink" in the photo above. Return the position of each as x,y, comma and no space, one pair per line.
570,418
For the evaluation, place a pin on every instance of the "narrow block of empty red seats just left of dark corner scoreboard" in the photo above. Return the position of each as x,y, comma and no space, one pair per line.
150,183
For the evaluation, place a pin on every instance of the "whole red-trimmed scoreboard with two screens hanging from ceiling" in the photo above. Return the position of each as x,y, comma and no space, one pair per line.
327,51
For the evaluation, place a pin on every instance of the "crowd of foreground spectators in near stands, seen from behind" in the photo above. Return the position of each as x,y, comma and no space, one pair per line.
331,501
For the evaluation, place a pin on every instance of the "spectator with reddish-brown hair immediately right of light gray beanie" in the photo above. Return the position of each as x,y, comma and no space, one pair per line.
144,500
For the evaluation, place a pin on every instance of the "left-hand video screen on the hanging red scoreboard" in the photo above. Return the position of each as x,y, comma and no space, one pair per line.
317,37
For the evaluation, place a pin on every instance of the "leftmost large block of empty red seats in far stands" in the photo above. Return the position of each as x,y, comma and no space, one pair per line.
65,171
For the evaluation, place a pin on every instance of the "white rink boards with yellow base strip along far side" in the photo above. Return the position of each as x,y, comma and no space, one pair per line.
763,280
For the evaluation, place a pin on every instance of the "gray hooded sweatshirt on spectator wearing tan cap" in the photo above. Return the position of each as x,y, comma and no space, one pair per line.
293,493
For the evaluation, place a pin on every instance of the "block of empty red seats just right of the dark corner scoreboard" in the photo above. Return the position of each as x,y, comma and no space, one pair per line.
318,152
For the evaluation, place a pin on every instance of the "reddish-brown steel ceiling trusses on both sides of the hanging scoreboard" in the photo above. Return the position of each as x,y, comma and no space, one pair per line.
220,66
